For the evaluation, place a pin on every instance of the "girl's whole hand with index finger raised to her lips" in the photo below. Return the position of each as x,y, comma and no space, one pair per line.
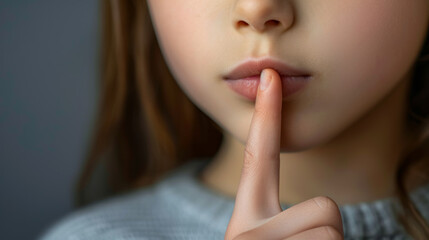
257,212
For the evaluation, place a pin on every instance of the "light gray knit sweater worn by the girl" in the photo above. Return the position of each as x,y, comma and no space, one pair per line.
180,207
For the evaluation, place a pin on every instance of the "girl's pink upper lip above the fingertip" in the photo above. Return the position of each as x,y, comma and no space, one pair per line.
254,67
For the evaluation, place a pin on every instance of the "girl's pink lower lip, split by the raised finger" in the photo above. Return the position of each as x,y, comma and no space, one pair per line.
248,87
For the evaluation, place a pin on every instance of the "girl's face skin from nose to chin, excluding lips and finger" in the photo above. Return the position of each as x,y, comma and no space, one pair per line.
357,51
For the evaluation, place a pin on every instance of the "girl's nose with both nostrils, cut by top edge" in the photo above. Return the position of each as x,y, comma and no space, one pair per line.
261,15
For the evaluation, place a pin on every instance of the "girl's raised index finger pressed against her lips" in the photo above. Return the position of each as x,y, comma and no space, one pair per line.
258,191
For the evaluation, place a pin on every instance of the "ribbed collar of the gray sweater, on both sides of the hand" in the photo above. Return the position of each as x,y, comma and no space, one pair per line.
367,220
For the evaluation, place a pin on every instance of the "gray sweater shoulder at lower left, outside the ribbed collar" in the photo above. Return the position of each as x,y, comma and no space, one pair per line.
123,217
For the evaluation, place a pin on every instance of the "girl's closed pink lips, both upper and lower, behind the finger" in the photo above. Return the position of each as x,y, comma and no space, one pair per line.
245,77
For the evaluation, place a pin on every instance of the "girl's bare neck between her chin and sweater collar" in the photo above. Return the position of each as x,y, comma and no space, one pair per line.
357,165
